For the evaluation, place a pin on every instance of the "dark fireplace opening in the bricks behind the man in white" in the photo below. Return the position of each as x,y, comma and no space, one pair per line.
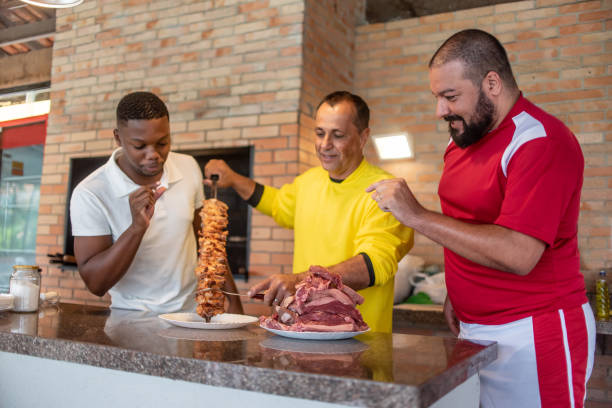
238,158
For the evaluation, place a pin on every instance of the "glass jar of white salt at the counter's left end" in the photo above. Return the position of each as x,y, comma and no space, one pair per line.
24,284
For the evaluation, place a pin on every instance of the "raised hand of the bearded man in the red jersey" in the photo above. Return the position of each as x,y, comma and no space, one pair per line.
394,195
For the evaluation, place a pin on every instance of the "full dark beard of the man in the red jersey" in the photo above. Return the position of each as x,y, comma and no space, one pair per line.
482,121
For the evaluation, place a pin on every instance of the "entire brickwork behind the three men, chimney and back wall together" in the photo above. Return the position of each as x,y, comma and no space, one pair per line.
236,73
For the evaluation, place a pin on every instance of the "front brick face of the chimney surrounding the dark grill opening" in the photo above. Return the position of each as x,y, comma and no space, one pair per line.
230,73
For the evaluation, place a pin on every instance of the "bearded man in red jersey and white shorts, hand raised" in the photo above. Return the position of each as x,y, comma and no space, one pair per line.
510,197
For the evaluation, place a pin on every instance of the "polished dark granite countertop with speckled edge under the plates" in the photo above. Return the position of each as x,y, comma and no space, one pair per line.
373,369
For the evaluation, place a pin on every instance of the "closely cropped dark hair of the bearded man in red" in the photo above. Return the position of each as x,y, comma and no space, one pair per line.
480,53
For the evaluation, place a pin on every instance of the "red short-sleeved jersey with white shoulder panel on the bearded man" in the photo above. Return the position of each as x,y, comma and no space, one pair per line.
525,175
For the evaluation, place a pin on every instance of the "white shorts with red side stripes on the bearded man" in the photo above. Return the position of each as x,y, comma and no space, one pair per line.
542,361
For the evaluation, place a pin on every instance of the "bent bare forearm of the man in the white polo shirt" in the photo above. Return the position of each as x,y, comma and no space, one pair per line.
104,269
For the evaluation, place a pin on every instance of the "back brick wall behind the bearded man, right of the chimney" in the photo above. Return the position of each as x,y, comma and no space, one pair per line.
560,53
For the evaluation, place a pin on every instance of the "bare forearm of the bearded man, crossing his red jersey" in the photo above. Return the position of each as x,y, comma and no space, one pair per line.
489,245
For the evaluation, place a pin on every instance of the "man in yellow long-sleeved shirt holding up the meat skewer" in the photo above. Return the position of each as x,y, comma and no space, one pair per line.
335,222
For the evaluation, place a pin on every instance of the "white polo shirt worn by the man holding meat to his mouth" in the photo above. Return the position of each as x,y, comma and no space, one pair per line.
161,277
